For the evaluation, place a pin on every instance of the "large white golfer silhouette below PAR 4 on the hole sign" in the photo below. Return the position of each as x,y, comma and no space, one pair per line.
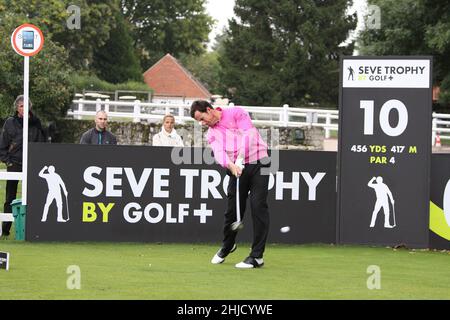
382,193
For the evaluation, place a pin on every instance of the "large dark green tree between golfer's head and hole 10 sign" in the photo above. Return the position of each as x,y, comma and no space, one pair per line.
286,51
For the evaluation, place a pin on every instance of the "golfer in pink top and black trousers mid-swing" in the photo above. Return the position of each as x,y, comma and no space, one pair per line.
236,142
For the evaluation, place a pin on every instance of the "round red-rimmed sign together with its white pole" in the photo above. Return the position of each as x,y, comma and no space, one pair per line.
26,40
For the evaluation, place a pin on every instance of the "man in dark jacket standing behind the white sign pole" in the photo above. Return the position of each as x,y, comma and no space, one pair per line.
11,141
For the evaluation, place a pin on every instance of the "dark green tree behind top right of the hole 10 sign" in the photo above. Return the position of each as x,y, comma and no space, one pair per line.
413,27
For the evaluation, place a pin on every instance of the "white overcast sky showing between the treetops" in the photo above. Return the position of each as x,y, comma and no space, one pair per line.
222,10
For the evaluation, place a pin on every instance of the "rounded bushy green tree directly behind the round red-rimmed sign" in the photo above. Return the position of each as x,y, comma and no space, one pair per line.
50,87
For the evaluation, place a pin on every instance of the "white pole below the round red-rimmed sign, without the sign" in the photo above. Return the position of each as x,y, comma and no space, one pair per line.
26,109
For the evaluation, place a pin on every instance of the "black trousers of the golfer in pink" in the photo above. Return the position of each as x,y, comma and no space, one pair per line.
251,180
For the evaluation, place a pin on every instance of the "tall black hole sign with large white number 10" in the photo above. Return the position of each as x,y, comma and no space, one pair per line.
384,150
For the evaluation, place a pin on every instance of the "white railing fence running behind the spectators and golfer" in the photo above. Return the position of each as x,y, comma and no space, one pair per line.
285,116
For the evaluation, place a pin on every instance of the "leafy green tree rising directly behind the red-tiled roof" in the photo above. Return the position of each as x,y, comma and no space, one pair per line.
161,27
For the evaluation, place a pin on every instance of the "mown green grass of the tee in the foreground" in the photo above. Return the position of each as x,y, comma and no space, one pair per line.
183,271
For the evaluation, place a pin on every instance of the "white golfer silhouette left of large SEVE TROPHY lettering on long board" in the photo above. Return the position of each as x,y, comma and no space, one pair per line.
55,184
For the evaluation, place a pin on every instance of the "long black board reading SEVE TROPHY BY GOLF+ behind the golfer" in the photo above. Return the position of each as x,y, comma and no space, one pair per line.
160,194
